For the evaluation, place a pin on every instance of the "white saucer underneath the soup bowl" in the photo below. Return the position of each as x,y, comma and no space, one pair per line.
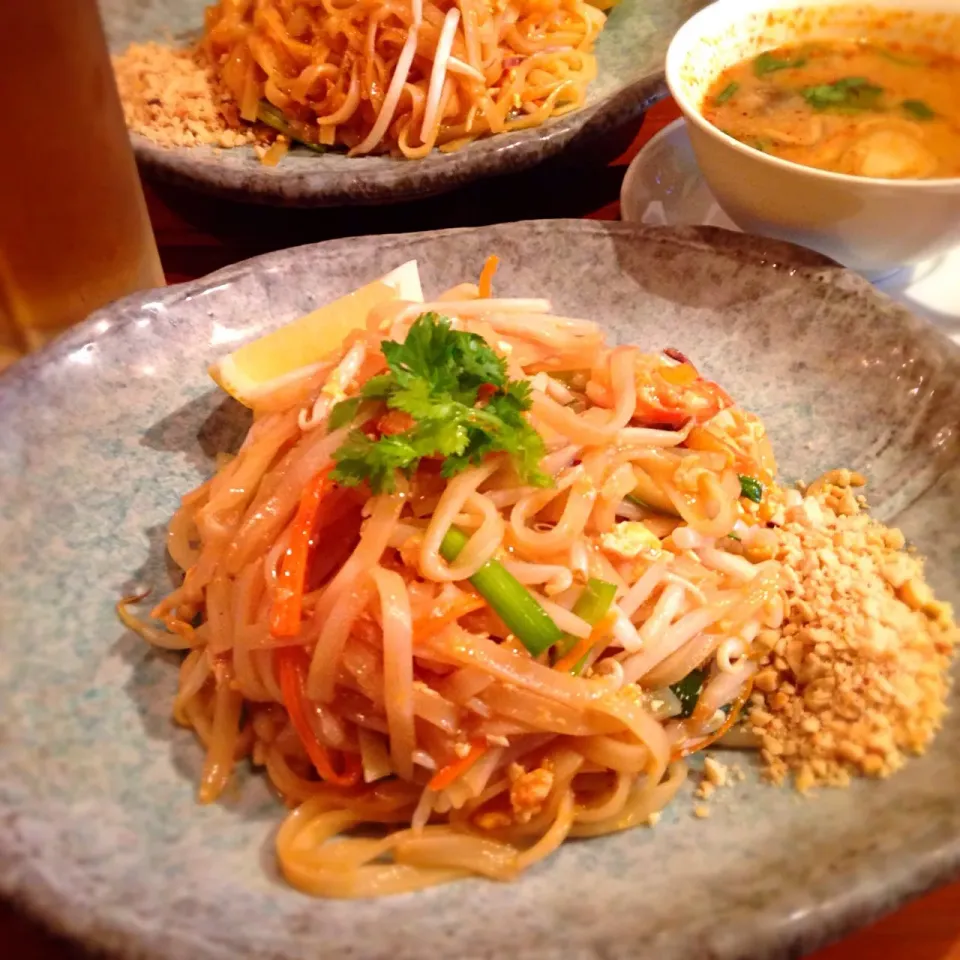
664,187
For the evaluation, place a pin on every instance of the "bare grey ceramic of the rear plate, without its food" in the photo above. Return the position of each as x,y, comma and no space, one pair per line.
630,55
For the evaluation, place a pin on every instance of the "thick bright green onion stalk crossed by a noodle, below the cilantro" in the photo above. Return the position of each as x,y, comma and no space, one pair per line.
511,601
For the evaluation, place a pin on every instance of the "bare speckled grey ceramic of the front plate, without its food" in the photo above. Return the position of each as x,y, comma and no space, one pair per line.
100,834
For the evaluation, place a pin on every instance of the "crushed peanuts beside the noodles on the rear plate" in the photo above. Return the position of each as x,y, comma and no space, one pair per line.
172,97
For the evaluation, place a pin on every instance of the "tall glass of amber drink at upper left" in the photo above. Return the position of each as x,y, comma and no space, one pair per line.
74,230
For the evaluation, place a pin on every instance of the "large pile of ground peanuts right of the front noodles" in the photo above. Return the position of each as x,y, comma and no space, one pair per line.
857,677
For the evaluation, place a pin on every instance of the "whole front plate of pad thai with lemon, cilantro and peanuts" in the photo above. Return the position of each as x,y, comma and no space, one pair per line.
470,577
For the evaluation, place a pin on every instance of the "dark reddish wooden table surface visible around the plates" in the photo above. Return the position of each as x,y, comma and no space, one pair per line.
197,235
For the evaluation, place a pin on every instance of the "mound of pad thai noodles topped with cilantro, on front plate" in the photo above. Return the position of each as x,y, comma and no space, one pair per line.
482,579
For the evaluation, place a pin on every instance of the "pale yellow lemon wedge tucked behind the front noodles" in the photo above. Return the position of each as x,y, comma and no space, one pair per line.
292,353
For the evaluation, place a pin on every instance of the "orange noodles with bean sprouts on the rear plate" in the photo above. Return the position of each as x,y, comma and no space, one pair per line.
402,77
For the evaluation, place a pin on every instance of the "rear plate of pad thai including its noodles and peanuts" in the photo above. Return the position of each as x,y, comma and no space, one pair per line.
354,101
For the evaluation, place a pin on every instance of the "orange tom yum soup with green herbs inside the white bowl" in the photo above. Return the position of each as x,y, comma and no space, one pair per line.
850,107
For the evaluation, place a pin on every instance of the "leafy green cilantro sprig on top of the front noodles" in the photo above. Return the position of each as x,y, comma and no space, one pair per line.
463,406
